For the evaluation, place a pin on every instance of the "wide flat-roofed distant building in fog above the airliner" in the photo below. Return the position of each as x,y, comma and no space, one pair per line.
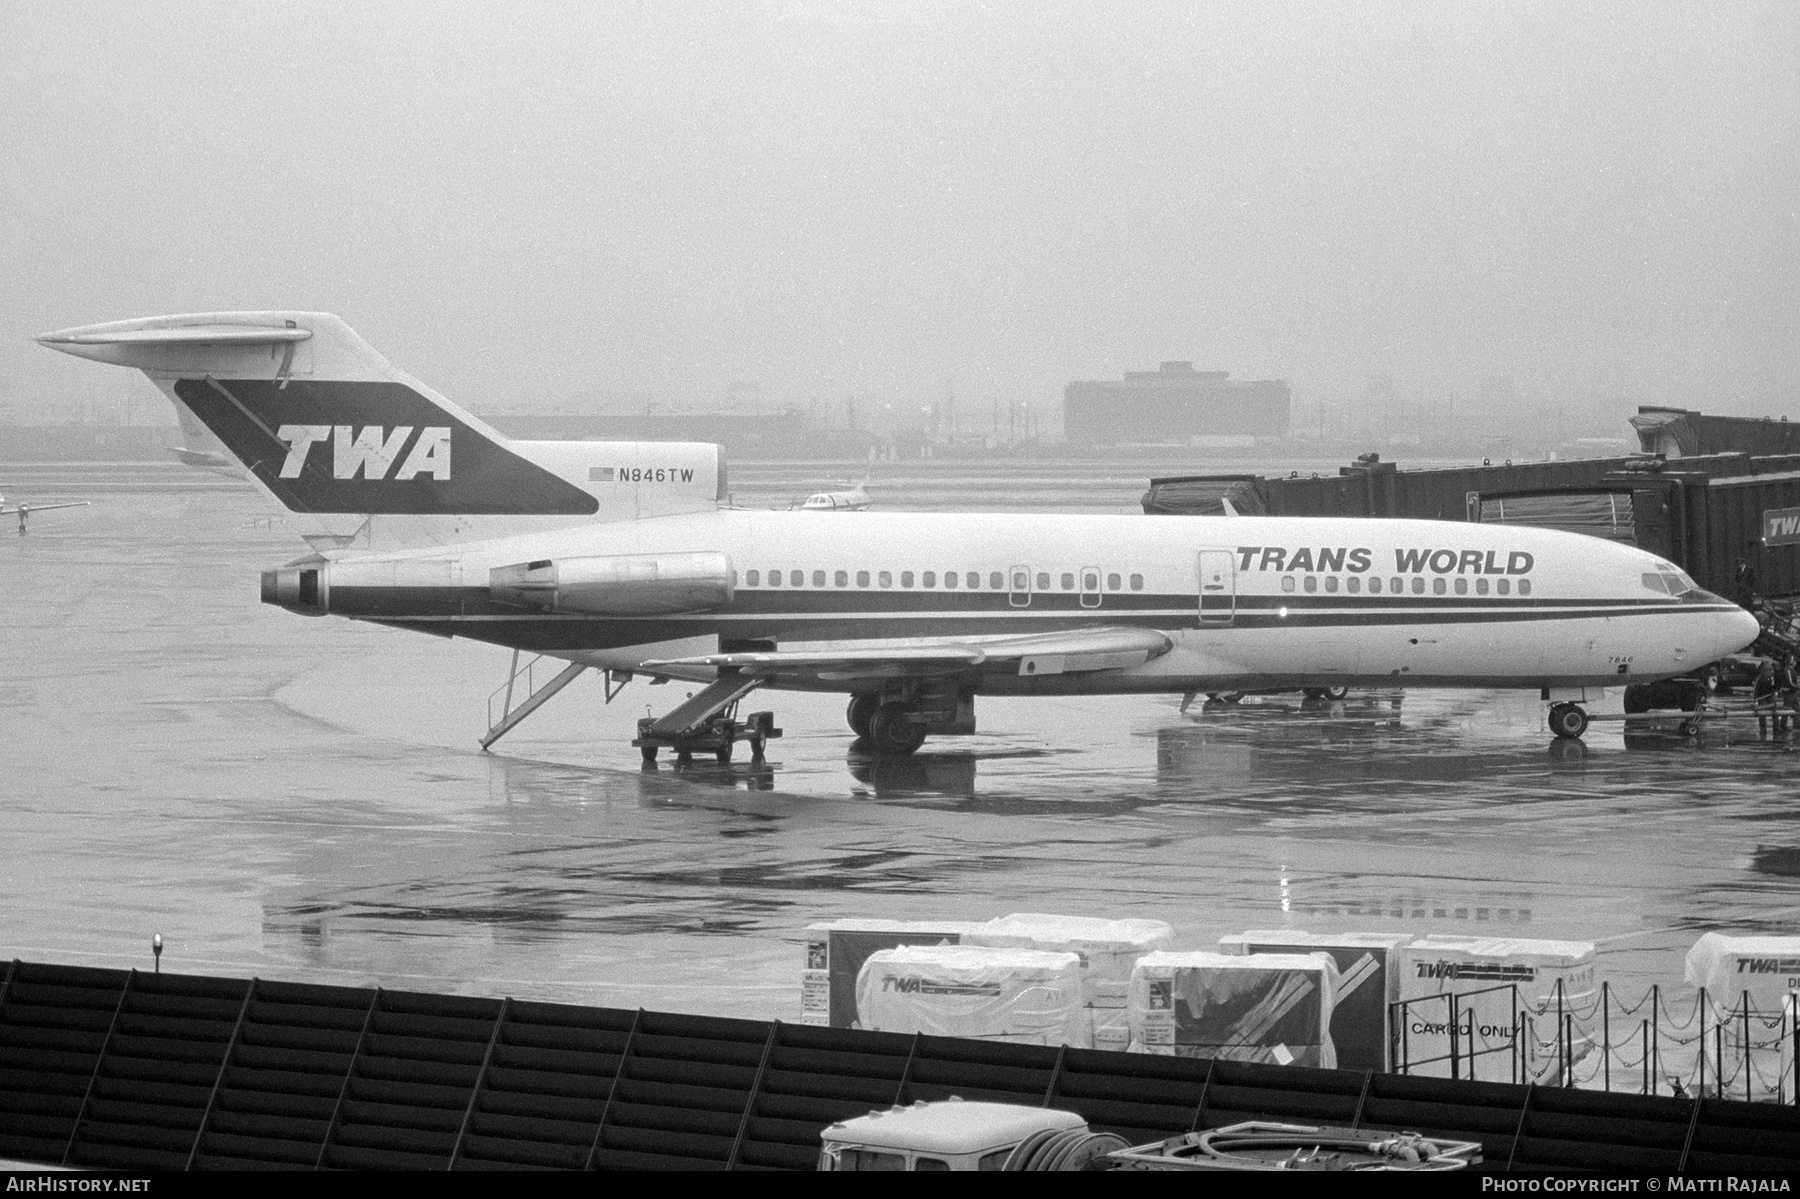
1176,404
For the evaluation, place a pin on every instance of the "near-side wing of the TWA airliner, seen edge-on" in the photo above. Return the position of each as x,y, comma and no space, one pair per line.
1029,654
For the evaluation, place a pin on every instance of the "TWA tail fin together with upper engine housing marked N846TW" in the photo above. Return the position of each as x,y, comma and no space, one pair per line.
327,428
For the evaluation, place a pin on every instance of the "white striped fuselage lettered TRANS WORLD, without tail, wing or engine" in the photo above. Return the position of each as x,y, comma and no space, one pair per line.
1248,602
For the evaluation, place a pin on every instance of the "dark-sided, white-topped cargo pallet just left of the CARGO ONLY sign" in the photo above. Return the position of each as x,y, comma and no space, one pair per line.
1369,980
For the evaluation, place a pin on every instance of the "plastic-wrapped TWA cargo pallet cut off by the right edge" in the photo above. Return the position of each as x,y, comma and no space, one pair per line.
1761,975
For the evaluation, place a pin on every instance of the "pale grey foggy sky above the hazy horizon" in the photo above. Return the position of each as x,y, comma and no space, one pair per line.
539,204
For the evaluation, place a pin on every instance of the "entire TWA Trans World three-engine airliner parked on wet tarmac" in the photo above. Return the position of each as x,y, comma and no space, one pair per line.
912,615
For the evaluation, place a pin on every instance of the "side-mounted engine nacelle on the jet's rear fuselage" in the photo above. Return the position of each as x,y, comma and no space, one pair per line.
618,584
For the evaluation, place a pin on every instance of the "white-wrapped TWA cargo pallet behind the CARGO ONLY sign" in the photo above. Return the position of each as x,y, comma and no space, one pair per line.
1493,980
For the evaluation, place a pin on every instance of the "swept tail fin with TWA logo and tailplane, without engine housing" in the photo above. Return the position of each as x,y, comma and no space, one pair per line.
323,422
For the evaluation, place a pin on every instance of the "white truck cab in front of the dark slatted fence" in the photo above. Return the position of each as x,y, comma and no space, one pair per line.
949,1135
